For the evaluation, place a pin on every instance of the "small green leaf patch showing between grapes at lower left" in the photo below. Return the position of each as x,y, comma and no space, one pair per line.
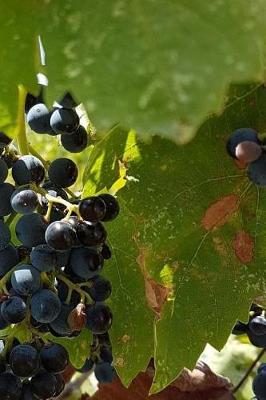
78,347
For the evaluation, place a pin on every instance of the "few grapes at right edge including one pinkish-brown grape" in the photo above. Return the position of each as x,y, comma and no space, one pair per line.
244,145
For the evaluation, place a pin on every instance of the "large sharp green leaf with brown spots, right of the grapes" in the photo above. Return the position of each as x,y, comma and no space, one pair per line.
190,230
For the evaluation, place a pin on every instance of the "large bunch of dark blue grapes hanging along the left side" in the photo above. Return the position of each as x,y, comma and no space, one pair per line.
51,284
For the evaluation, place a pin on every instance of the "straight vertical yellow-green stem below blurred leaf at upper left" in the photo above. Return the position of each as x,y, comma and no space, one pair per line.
21,128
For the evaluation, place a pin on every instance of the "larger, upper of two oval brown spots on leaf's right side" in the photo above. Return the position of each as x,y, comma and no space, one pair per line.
220,212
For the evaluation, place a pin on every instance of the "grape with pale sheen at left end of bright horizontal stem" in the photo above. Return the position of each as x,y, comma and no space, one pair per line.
24,201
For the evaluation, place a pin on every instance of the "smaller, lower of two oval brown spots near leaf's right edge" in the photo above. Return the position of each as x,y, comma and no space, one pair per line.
243,246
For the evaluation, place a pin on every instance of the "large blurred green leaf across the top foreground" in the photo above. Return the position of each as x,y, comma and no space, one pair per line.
157,69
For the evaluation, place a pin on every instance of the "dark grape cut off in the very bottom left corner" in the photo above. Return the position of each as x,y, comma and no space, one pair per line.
10,386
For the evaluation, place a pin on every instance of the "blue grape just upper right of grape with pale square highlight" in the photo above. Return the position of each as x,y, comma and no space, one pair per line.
43,258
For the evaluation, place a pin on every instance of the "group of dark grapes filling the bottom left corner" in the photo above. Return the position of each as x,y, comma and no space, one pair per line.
32,371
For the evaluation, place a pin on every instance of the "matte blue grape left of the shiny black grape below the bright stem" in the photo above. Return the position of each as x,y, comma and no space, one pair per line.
30,230
